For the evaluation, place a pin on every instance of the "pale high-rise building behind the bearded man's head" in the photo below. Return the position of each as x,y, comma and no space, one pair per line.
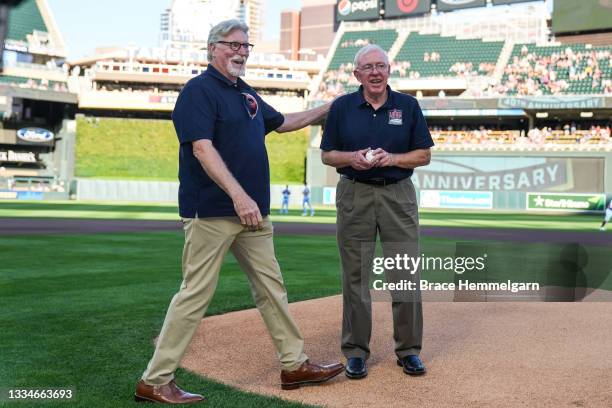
186,24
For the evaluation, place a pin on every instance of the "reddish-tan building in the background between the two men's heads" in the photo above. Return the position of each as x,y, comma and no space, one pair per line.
307,34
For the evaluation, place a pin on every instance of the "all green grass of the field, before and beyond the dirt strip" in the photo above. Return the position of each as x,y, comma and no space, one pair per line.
80,311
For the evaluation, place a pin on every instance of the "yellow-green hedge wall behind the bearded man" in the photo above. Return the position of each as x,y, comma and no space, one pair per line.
143,149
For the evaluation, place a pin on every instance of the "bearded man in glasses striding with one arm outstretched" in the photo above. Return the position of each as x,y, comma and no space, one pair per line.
224,203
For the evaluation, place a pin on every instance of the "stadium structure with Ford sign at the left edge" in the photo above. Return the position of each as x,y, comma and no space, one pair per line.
35,144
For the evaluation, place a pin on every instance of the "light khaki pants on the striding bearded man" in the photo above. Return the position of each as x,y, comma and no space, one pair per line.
206,243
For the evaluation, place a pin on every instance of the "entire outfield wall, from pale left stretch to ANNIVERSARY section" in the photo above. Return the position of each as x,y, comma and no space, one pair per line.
509,181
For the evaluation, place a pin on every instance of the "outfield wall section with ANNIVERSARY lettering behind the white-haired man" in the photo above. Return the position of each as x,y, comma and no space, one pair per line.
499,180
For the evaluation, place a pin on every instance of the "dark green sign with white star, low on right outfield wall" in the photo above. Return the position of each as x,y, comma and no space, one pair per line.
566,202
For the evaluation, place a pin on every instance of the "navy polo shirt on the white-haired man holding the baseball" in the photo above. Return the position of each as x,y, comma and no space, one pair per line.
398,126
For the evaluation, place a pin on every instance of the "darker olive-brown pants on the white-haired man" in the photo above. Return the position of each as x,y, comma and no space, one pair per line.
365,211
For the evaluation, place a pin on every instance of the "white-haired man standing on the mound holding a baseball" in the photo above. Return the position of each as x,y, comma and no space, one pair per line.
375,137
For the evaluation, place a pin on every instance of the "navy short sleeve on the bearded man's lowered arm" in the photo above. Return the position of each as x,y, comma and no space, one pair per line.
194,114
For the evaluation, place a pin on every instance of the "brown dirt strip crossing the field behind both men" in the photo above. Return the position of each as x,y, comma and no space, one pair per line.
25,226
